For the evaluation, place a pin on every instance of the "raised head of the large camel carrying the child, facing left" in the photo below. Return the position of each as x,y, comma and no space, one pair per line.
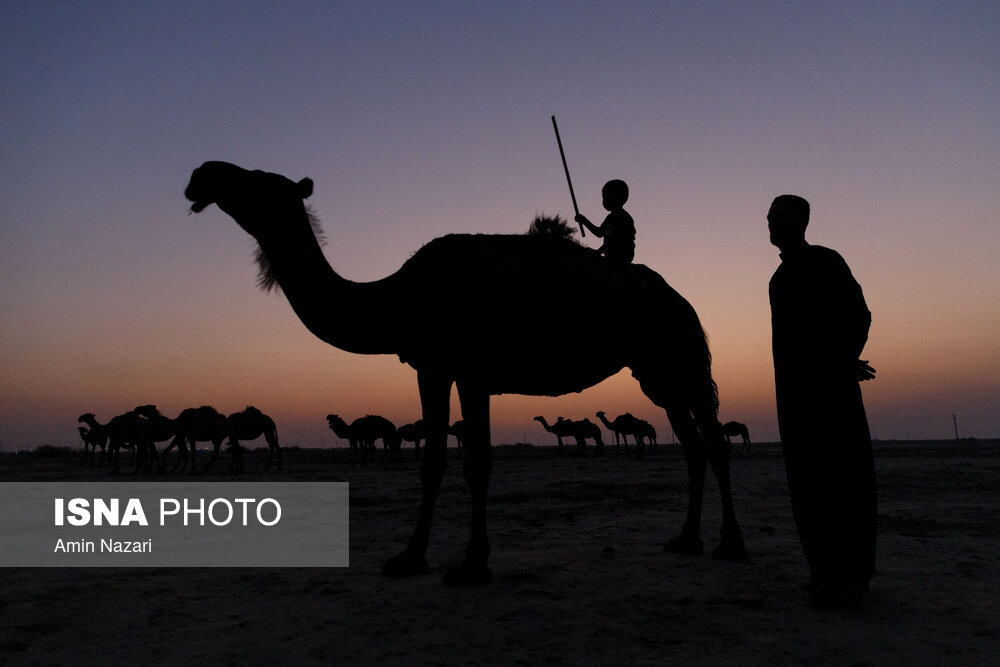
255,199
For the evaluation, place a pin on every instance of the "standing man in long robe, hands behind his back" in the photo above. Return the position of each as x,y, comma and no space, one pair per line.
819,323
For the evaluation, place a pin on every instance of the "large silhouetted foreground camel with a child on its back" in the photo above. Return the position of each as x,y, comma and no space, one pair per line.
475,296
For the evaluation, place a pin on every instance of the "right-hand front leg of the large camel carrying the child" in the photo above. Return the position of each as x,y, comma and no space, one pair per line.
476,468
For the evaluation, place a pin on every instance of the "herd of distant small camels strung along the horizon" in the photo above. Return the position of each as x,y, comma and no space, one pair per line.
140,429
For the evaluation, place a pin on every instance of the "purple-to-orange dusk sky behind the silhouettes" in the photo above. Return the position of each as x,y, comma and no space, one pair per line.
421,119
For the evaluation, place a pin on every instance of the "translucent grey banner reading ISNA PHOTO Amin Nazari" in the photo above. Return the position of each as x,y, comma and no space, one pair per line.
174,524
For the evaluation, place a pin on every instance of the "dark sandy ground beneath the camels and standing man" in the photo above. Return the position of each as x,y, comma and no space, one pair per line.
581,577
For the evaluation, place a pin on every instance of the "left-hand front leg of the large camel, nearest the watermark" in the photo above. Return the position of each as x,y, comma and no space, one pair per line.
435,397
